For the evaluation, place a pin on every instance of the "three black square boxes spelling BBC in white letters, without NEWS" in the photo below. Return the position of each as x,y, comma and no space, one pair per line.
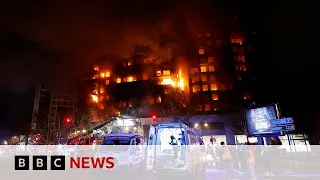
39,162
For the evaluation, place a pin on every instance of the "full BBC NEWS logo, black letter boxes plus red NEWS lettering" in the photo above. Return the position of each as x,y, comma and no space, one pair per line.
59,162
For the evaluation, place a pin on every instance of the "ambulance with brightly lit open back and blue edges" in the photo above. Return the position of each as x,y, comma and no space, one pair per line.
186,157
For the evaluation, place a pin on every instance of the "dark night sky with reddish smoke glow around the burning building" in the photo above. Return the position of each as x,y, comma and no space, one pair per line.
55,43
